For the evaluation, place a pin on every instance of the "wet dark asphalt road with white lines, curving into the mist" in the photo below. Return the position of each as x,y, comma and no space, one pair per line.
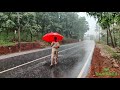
36,65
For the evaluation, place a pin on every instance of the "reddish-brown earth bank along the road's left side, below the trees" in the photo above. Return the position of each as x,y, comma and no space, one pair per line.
26,46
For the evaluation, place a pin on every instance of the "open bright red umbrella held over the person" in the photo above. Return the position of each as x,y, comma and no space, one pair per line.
49,37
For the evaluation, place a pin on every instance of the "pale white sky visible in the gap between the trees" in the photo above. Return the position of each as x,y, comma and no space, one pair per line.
91,22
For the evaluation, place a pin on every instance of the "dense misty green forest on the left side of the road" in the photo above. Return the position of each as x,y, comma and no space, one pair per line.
33,25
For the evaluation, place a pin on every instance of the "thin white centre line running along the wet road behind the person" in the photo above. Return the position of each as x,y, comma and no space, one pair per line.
33,61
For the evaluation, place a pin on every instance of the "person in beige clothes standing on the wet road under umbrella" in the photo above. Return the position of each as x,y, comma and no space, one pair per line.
54,54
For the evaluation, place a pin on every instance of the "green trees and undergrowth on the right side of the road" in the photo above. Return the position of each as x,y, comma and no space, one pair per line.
109,22
